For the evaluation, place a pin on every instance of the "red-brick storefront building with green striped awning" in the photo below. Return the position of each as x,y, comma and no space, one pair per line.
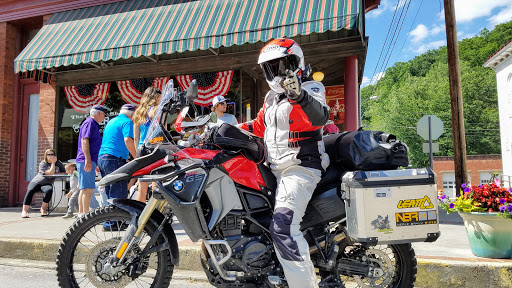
47,45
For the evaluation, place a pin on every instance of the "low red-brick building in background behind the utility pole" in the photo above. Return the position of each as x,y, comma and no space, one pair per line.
479,169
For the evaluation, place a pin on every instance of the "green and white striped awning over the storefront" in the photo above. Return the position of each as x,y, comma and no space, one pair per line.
151,27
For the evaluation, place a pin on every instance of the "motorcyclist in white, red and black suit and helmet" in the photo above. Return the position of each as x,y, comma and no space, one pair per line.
290,122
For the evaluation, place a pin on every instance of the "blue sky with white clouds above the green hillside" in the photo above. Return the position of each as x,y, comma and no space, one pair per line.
427,31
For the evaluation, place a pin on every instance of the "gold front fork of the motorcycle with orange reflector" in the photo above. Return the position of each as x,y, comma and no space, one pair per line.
134,230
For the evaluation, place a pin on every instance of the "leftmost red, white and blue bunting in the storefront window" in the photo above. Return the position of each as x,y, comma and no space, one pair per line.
83,97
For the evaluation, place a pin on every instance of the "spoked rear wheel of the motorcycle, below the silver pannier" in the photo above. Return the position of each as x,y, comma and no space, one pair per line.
391,266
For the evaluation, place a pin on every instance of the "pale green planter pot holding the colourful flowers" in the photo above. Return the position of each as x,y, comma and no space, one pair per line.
489,235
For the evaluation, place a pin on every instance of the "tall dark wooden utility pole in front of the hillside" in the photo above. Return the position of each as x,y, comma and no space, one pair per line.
459,137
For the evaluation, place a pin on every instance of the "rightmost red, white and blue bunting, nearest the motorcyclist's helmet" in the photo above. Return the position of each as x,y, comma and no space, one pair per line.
209,85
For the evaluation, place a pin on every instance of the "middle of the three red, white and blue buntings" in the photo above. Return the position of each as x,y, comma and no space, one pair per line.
132,90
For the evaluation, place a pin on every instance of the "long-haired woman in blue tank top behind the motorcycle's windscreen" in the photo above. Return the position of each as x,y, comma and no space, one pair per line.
141,121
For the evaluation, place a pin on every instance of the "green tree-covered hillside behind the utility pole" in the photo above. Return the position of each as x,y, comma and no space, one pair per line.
421,87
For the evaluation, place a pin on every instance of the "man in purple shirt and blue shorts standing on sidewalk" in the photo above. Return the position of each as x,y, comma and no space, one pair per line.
89,143
